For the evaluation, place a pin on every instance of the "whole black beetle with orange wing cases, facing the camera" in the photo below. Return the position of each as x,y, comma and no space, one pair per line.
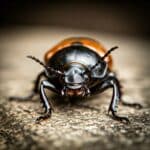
77,67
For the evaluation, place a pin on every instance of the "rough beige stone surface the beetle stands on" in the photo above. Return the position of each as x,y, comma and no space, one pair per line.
86,124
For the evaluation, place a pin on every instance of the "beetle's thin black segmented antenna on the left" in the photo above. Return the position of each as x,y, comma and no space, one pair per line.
46,67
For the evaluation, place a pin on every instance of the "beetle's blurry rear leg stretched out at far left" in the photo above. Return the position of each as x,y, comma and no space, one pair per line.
34,90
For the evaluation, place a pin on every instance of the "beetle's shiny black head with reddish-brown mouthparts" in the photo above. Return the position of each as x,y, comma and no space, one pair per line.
75,80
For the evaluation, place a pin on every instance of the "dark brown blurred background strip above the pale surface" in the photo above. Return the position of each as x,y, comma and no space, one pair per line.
118,17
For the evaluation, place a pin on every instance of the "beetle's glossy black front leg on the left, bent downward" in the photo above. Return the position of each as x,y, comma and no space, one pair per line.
47,105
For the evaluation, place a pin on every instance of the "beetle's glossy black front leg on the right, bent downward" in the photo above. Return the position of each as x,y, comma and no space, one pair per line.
111,82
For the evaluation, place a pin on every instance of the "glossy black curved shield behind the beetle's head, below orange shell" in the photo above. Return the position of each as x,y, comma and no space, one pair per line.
79,54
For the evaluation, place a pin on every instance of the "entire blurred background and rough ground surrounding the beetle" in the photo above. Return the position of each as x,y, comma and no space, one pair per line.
31,27
